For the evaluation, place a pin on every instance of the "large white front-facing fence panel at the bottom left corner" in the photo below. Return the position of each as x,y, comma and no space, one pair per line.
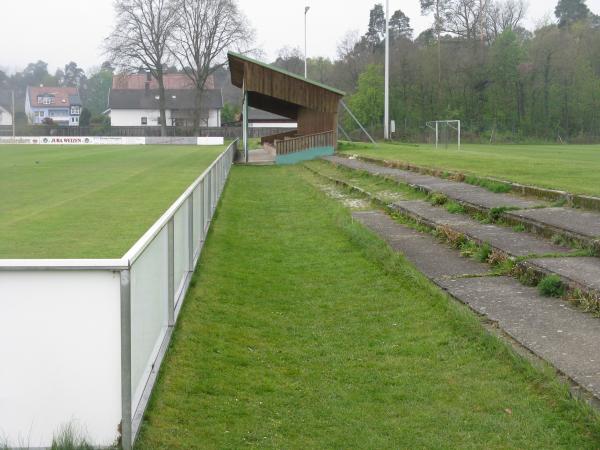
60,347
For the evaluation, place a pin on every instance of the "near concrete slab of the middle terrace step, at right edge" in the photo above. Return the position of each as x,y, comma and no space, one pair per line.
581,271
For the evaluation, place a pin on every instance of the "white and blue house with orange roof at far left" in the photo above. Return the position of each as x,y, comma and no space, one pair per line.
61,104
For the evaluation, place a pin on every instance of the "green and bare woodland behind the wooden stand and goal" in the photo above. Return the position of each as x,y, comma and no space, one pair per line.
477,63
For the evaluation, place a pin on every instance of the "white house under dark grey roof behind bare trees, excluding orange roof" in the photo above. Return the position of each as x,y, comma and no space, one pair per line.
139,107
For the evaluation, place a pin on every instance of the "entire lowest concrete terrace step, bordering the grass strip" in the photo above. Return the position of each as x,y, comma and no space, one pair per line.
552,329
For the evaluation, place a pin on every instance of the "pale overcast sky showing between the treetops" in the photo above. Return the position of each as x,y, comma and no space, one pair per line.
58,31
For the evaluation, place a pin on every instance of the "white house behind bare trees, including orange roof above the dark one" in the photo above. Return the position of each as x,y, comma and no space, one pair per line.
134,101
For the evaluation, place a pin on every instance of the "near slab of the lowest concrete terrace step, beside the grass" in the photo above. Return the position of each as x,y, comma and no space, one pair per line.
552,329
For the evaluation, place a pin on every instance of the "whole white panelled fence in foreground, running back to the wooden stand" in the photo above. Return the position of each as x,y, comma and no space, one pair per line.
81,341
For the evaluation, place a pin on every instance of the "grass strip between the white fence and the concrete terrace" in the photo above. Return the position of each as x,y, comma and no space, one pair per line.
302,330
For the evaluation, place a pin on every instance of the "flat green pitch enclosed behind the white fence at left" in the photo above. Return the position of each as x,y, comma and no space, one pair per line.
89,201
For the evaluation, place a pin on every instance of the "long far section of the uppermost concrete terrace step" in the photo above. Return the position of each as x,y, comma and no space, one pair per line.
474,196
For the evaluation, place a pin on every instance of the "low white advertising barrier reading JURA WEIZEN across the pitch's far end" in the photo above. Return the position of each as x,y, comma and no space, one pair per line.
106,140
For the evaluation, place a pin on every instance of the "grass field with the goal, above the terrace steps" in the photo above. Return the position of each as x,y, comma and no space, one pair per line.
573,168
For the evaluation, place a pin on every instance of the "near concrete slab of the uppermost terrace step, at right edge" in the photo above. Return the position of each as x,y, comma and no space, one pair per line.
582,224
